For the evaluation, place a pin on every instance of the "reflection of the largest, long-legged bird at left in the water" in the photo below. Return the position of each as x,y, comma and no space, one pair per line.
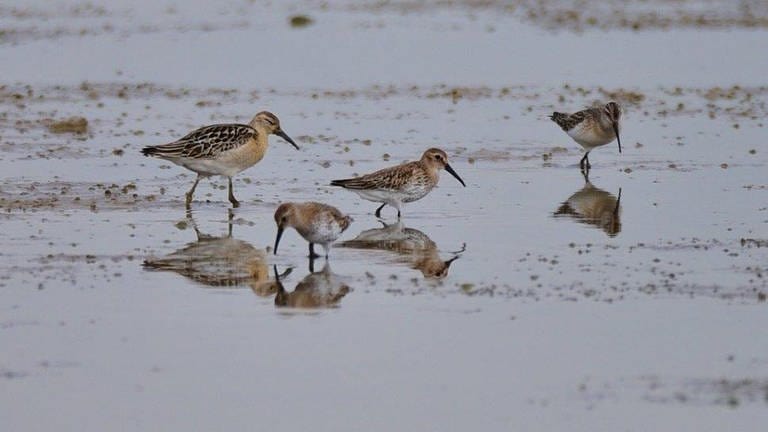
222,262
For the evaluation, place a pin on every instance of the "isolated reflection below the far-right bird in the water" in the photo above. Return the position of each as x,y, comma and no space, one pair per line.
594,206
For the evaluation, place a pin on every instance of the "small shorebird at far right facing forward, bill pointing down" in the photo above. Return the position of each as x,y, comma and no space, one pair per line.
591,128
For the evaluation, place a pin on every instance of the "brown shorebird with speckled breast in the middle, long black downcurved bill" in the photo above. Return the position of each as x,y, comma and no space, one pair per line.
403,183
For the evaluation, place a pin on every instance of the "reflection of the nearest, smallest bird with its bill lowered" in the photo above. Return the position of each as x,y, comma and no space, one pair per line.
323,289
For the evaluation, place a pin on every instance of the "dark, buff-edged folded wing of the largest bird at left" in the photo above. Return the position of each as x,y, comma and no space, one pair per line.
205,143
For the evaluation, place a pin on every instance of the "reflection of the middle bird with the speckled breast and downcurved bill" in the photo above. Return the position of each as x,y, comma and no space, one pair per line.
412,246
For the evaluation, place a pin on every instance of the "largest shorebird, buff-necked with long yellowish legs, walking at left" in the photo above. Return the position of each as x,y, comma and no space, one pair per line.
221,149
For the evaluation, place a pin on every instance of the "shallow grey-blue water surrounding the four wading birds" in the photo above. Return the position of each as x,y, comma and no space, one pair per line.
119,310
